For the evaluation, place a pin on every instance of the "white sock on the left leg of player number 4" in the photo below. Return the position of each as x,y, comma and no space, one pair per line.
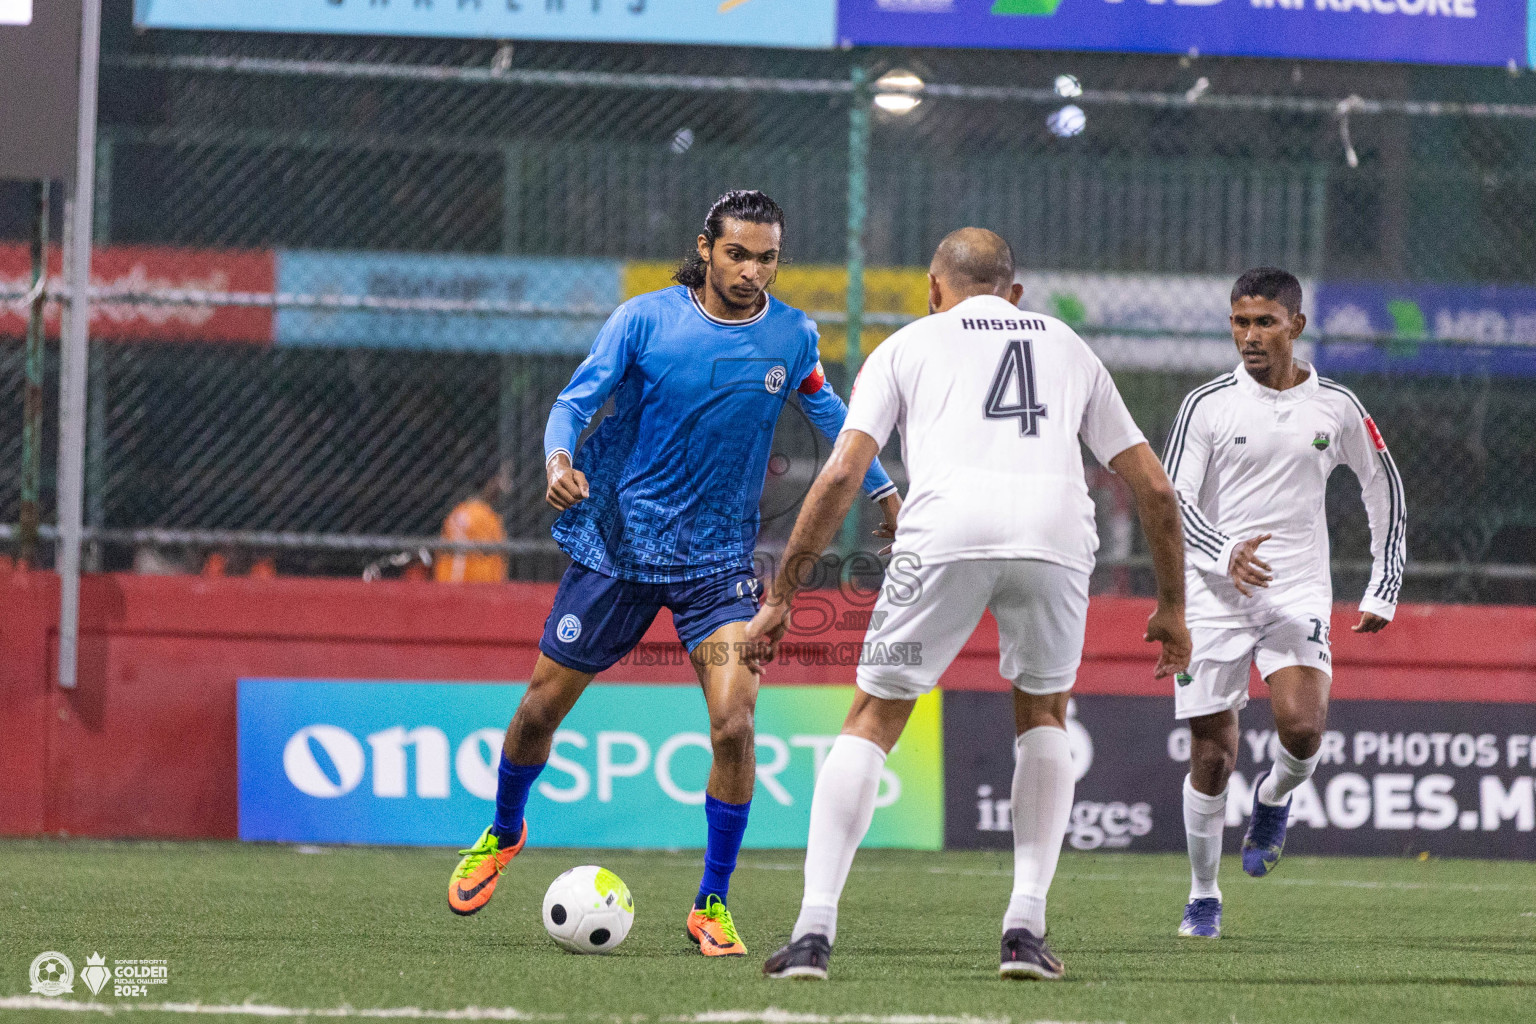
841,813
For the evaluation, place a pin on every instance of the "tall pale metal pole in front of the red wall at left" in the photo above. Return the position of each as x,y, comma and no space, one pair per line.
76,346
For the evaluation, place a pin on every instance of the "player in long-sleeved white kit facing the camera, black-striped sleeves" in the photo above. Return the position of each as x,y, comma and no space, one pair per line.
1251,455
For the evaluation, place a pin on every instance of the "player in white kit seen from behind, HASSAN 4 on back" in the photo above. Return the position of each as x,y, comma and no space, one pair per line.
991,403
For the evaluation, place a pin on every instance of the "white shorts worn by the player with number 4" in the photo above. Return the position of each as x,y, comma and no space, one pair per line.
1041,610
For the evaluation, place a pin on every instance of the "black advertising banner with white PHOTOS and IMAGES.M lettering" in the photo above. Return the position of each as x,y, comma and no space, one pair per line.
1397,778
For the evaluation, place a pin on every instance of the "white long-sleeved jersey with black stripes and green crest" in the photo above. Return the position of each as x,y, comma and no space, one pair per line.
1248,461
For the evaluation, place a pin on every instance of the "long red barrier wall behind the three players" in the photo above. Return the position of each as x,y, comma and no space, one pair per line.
145,747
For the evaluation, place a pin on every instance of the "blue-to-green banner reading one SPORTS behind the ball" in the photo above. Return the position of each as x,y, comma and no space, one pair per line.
415,764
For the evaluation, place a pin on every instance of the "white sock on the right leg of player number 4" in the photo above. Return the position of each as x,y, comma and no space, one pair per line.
1044,782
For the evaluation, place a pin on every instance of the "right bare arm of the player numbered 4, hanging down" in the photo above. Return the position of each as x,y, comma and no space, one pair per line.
1157,506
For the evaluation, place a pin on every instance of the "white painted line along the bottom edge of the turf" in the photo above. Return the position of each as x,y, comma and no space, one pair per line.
772,1016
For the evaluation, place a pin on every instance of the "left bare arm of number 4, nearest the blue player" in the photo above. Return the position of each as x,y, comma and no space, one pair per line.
824,512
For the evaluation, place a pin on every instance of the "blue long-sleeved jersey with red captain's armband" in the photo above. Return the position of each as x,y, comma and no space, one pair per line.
678,469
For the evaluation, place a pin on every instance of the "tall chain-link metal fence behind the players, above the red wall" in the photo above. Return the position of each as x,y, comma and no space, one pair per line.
400,380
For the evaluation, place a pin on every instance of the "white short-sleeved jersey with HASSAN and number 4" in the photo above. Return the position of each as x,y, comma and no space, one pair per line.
991,403
